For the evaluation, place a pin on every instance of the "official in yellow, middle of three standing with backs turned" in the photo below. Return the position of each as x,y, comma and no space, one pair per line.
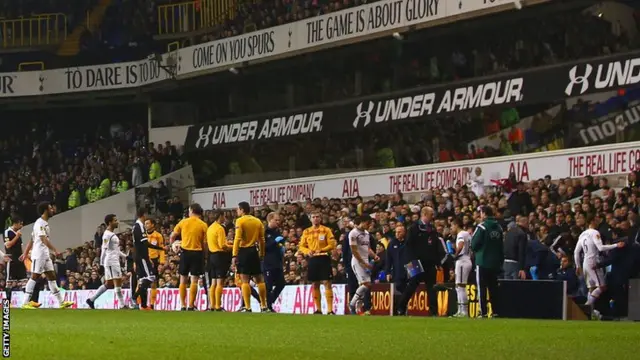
219,260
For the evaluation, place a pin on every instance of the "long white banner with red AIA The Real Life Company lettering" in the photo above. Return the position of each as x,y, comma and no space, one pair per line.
595,161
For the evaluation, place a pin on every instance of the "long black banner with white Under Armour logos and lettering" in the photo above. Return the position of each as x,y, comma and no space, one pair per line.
542,85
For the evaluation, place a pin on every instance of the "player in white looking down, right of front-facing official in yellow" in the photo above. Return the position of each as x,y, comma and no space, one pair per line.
360,243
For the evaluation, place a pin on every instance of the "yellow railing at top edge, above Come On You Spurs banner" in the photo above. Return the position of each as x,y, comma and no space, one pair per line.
193,15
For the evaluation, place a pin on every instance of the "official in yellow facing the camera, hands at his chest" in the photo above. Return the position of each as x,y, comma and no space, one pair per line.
317,242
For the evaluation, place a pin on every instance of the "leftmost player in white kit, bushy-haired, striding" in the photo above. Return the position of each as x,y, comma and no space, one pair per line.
41,248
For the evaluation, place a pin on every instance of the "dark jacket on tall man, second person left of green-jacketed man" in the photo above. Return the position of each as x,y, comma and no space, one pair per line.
423,244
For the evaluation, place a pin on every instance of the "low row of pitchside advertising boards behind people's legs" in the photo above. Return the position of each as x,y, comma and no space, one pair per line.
520,299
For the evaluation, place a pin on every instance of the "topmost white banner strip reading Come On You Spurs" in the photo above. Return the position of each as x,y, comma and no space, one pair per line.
353,24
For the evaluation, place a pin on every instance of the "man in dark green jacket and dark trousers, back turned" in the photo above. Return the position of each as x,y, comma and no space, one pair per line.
487,244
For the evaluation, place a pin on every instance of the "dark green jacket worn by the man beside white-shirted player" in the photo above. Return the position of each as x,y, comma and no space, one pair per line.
488,245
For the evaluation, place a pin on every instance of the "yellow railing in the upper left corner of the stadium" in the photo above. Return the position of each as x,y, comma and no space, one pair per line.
38,30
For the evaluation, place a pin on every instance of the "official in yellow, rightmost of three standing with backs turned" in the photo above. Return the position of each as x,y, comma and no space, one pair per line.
248,251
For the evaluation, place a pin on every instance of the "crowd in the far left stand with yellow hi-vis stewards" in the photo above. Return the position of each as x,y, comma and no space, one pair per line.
71,163
